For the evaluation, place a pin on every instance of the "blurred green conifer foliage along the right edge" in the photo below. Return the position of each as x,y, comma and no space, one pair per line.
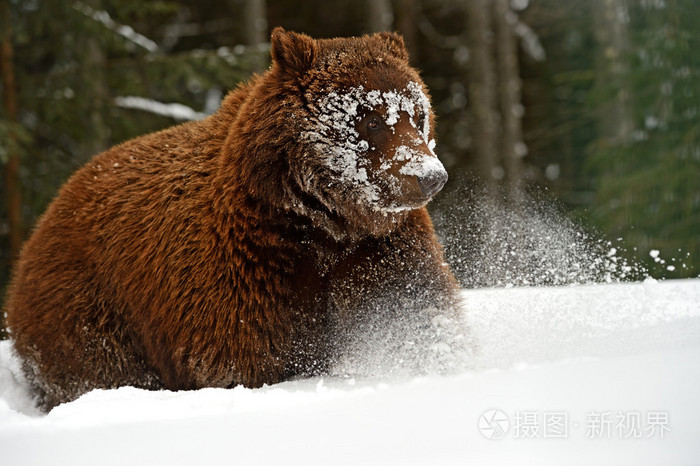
648,181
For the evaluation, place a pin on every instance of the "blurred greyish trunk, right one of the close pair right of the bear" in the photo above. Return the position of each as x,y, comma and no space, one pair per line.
511,108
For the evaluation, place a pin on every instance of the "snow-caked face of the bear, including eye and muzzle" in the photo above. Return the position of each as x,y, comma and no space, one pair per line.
377,147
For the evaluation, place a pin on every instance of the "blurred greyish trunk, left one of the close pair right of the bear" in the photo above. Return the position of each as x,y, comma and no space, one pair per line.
482,90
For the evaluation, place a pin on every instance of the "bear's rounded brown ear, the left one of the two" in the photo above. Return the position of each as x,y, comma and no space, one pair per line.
292,53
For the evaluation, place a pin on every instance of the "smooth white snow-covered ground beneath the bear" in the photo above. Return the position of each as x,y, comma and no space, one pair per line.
596,374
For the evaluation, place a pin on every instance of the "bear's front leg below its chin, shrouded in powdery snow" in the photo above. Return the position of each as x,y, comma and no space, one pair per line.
395,305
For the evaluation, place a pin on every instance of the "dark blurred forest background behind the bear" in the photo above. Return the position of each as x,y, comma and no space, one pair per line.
592,105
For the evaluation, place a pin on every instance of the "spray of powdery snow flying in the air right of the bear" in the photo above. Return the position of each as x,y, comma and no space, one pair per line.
530,242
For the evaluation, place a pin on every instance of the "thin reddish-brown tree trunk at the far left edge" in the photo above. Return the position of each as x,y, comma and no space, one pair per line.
13,193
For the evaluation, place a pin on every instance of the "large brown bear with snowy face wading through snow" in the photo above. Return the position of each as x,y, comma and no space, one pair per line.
241,249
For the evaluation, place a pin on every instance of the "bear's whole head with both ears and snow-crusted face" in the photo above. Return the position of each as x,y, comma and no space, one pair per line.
364,129
